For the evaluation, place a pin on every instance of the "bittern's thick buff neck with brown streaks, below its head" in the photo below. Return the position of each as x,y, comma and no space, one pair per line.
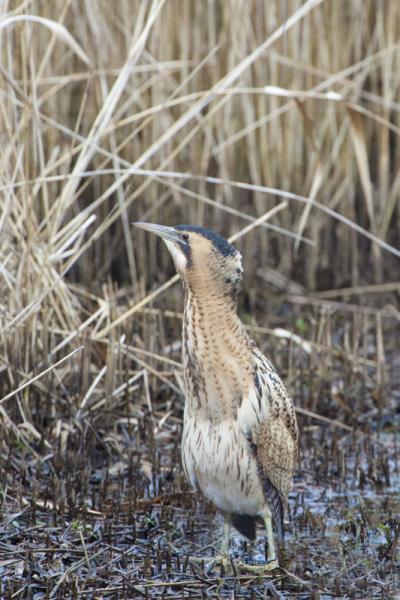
216,355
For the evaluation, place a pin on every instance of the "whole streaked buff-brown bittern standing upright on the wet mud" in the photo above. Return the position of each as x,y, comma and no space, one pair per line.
239,442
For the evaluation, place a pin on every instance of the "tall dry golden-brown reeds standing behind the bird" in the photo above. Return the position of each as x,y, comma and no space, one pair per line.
197,112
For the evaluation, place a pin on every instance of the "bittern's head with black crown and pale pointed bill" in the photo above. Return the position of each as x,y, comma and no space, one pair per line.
201,257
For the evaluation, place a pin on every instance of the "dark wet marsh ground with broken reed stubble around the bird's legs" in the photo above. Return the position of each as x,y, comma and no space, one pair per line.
99,507
